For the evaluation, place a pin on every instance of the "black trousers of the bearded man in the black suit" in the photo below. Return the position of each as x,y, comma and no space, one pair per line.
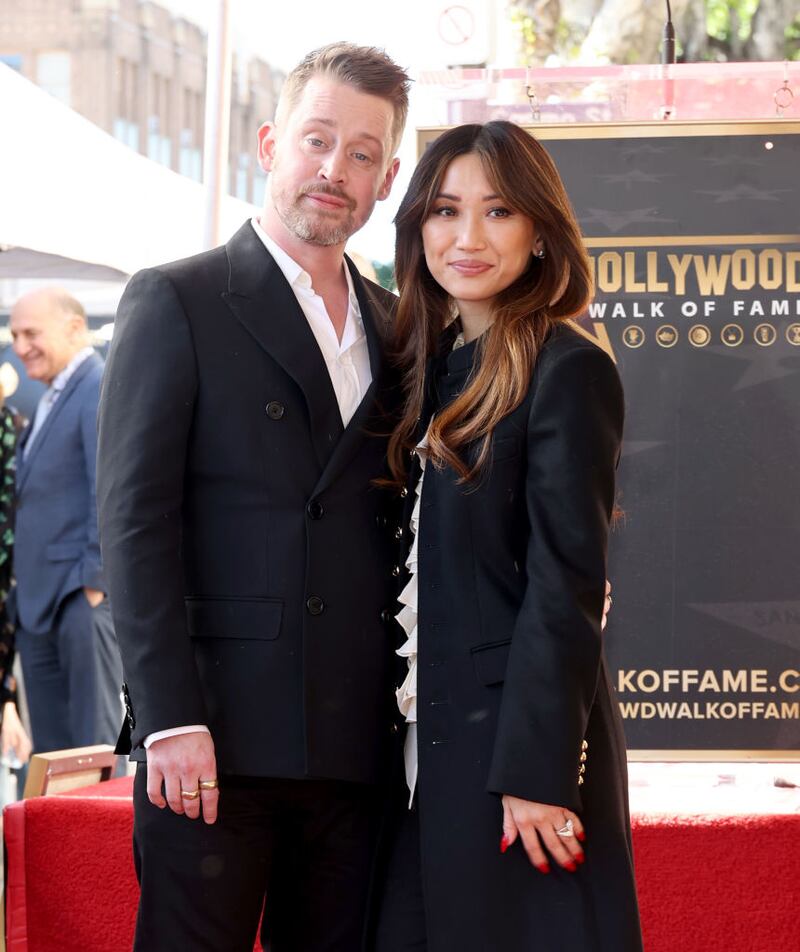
300,850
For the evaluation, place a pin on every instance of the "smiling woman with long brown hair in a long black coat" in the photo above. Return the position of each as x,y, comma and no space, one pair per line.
511,832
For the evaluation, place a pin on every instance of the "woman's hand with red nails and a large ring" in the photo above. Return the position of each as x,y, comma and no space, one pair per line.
536,825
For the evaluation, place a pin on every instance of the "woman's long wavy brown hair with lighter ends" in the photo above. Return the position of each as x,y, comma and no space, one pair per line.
552,289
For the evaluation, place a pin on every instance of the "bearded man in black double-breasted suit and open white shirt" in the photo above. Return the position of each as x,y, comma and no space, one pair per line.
246,548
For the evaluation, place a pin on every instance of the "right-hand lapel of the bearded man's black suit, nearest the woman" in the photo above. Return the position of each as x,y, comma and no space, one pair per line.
365,423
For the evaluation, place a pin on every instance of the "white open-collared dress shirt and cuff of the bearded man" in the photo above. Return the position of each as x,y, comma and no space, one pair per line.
347,362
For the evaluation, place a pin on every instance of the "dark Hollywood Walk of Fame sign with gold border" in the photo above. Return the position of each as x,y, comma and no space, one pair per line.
693,230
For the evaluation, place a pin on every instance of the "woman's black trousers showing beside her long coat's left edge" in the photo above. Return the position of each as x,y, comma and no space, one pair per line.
399,906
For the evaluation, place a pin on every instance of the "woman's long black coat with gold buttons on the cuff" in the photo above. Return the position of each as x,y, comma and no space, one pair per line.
511,675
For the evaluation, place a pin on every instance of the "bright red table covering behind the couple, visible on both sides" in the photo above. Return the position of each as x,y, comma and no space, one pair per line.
706,883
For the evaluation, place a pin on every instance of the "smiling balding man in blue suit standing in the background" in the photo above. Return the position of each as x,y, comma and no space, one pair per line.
65,637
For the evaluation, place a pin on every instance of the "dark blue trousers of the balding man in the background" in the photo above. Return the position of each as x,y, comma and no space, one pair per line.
72,677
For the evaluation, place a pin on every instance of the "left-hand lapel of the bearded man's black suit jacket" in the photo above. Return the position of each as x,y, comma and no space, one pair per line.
262,300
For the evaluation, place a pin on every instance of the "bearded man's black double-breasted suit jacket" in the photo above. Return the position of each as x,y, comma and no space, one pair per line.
247,551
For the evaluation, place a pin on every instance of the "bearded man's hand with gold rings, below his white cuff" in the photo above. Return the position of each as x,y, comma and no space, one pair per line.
181,764
